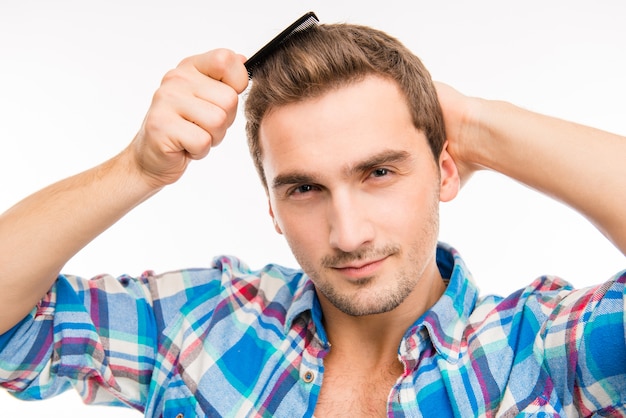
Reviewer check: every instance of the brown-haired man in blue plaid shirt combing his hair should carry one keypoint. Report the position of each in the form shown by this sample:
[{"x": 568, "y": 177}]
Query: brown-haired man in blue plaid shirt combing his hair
[{"x": 347, "y": 136}]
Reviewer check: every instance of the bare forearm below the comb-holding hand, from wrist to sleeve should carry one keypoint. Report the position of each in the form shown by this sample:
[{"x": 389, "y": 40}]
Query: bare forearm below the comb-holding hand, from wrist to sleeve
[{"x": 42, "y": 232}]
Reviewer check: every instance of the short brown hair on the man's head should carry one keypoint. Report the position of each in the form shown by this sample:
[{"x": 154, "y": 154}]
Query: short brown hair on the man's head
[{"x": 326, "y": 57}]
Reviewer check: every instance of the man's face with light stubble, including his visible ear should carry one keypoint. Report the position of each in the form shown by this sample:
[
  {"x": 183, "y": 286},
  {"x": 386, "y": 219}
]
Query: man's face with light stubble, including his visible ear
[{"x": 354, "y": 188}]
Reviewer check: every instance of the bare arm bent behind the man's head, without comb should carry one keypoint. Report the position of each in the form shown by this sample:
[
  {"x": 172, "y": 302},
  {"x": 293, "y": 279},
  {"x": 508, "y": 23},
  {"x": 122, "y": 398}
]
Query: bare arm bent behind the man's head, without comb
[{"x": 578, "y": 165}]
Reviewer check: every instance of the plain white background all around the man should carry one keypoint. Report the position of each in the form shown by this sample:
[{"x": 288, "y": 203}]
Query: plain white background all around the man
[{"x": 76, "y": 78}]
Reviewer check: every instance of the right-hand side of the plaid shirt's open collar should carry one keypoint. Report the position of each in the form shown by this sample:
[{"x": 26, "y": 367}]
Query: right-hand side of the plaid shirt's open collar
[{"x": 446, "y": 321}]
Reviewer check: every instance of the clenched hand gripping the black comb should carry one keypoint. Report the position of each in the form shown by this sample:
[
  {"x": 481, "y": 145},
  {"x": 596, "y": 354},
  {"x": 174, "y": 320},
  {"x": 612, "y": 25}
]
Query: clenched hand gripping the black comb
[{"x": 190, "y": 112}]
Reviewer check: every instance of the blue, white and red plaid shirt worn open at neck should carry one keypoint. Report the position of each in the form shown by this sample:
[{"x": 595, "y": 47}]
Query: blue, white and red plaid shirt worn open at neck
[{"x": 228, "y": 341}]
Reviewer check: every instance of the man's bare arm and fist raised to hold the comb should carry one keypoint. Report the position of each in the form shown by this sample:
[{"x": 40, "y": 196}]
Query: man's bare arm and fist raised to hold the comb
[{"x": 190, "y": 113}]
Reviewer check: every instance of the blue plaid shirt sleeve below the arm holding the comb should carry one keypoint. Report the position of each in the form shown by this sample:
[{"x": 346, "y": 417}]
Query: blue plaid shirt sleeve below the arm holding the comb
[{"x": 100, "y": 336}]
